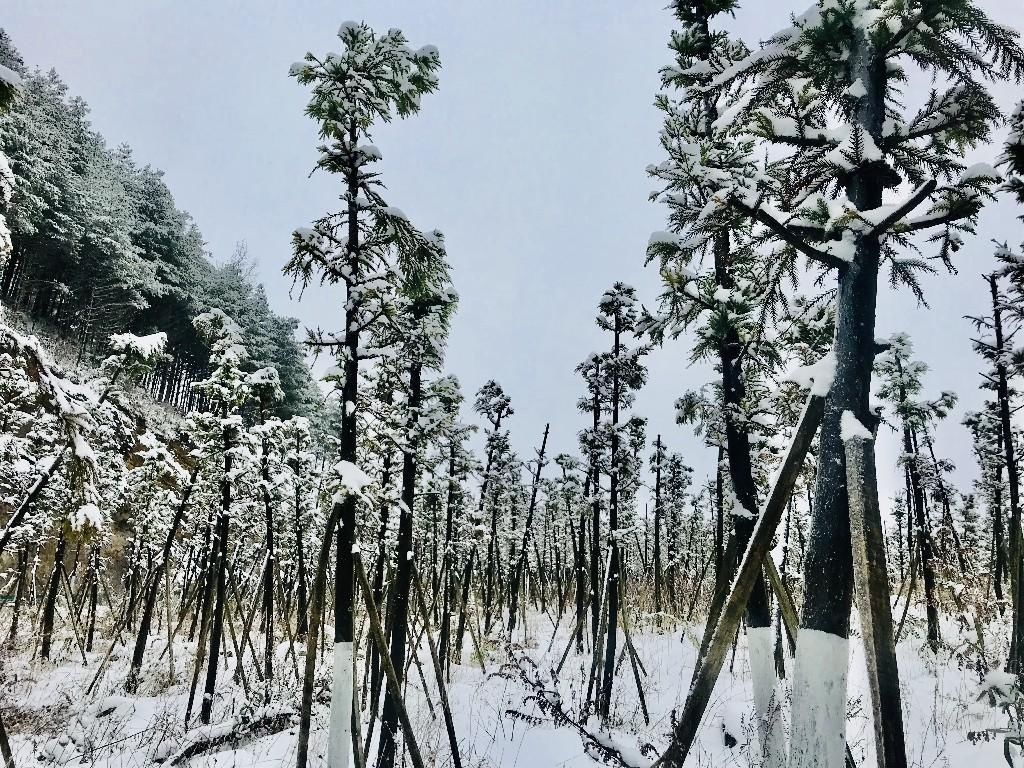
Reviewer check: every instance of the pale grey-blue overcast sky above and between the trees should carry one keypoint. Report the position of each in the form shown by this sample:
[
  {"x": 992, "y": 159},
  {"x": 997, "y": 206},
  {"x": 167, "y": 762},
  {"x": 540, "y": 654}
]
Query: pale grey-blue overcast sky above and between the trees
[{"x": 531, "y": 158}]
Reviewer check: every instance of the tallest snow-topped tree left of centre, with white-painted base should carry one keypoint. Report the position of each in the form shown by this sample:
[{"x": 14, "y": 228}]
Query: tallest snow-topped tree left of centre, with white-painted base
[{"x": 374, "y": 78}]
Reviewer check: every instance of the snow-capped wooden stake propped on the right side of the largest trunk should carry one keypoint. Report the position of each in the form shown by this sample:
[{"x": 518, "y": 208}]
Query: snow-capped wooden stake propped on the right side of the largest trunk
[{"x": 872, "y": 584}]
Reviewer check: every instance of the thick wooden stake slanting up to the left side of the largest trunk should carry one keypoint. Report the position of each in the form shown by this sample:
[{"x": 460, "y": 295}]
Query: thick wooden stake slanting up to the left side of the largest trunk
[{"x": 750, "y": 570}]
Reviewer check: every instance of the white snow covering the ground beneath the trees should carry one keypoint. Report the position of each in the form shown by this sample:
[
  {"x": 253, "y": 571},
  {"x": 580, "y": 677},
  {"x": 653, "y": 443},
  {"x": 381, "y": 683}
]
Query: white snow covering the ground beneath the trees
[{"x": 54, "y": 722}]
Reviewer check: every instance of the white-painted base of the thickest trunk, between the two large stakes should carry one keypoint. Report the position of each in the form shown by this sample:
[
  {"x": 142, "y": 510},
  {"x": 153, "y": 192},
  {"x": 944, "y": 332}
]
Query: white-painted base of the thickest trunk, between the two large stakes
[{"x": 819, "y": 719}]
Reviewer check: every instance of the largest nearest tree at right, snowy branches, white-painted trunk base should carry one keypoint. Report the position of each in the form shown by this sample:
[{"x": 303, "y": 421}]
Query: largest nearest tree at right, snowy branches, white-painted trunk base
[{"x": 849, "y": 142}]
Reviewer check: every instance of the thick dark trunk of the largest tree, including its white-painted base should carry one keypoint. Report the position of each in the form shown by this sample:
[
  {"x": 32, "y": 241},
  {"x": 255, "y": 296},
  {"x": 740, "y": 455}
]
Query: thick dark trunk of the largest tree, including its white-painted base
[{"x": 819, "y": 723}]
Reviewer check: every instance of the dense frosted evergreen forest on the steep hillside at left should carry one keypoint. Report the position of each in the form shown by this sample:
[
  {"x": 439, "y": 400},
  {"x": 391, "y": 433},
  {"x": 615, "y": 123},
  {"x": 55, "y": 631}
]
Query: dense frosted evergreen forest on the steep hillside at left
[{"x": 101, "y": 247}]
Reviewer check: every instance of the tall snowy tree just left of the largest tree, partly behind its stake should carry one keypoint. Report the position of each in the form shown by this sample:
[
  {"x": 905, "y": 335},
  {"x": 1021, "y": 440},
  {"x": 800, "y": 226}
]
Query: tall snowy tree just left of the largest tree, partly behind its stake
[{"x": 718, "y": 285}]
